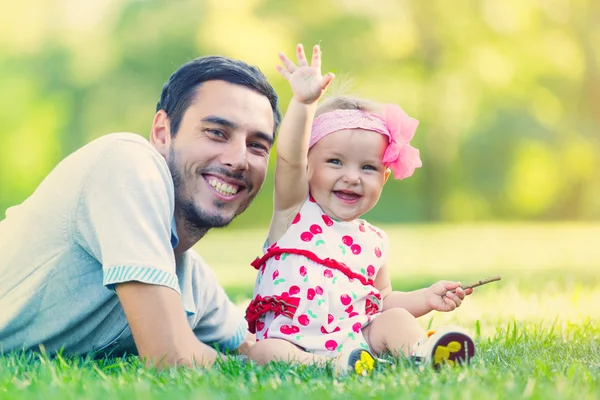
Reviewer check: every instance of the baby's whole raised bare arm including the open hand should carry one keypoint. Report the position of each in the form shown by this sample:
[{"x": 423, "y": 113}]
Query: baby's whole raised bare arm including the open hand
[{"x": 291, "y": 185}]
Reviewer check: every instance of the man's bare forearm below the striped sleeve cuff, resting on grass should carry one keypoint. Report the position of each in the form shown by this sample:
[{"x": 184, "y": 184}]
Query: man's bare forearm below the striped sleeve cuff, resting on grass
[{"x": 159, "y": 326}]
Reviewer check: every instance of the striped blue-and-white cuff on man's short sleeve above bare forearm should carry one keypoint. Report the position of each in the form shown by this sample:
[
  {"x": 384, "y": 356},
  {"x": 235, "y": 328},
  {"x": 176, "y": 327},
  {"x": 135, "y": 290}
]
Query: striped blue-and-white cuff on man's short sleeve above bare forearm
[{"x": 151, "y": 275}]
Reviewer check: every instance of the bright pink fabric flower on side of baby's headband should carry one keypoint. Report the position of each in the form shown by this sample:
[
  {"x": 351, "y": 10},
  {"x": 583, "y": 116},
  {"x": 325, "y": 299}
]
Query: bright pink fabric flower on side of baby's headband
[{"x": 400, "y": 156}]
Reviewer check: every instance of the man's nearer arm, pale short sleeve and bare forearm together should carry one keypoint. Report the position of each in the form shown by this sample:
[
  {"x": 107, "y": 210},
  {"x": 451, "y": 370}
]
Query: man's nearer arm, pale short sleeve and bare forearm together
[{"x": 123, "y": 219}]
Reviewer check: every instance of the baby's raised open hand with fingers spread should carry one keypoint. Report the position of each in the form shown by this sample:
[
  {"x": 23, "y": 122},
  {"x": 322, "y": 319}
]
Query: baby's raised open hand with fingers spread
[{"x": 306, "y": 80}]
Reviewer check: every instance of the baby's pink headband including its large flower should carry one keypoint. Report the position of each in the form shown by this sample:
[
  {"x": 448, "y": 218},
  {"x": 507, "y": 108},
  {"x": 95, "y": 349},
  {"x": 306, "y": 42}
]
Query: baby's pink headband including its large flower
[{"x": 399, "y": 155}]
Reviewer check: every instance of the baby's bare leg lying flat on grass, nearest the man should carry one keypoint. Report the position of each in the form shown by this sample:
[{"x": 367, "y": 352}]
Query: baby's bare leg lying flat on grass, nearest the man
[{"x": 268, "y": 350}]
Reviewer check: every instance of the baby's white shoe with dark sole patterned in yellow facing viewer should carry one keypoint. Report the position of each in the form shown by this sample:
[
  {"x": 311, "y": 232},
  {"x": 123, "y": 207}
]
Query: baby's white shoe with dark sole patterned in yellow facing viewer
[{"x": 449, "y": 345}]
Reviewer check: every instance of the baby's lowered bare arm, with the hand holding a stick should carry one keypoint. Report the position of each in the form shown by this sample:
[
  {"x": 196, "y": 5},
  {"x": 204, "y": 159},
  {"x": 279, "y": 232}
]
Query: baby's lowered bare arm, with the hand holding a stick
[{"x": 420, "y": 302}]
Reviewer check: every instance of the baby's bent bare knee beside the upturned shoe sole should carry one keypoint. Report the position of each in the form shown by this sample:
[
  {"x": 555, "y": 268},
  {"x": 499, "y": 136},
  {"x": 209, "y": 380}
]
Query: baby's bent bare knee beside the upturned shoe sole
[{"x": 395, "y": 331}]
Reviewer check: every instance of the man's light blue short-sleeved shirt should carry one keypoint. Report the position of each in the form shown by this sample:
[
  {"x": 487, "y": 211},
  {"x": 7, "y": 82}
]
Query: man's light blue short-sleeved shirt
[{"x": 103, "y": 216}]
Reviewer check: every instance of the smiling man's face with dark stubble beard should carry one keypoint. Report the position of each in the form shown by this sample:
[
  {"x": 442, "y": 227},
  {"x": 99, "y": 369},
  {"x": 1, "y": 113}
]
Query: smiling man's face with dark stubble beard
[{"x": 218, "y": 158}]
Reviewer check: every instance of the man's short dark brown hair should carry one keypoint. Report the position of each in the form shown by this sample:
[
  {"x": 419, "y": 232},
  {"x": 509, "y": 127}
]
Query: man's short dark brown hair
[{"x": 179, "y": 91}]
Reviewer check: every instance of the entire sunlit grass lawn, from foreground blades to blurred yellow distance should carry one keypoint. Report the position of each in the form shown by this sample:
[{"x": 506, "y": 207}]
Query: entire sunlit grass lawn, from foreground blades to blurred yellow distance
[{"x": 537, "y": 331}]
